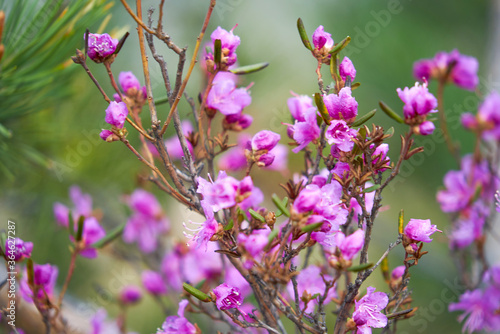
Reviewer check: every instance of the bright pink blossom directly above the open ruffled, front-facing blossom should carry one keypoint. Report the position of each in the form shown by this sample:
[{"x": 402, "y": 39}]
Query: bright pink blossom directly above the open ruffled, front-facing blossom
[{"x": 342, "y": 106}]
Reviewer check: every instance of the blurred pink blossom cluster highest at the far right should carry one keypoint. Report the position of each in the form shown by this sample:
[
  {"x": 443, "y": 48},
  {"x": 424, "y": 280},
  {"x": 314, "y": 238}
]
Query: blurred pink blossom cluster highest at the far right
[{"x": 463, "y": 73}]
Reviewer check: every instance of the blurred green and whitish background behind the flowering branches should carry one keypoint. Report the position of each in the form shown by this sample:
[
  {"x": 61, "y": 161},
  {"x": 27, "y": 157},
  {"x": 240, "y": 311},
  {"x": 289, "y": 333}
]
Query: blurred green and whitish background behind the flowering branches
[{"x": 387, "y": 37}]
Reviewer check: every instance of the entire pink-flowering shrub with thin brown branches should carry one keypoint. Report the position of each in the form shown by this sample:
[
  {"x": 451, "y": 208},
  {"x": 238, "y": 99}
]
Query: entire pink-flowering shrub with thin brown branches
[{"x": 251, "y": 260}]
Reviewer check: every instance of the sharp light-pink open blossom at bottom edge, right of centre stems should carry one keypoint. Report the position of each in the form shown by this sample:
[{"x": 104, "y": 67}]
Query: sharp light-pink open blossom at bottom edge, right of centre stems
[{"x": 367, "y": 313}]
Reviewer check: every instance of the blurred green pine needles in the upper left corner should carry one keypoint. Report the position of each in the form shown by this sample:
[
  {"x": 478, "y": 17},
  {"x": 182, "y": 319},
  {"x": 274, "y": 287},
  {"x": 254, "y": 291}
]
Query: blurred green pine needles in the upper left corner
[{"x": 34, "y": 69}]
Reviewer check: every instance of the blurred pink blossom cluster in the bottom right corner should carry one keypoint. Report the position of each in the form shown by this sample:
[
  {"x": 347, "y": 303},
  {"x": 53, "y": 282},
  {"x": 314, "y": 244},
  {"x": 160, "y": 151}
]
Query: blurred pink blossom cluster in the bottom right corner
[{"x": 480, "y": 308}]
